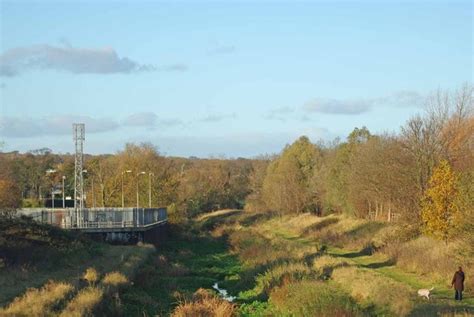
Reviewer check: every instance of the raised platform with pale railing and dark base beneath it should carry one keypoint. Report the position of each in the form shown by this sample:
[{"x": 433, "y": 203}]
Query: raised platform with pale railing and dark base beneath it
[{"x": 108, "y": 224}]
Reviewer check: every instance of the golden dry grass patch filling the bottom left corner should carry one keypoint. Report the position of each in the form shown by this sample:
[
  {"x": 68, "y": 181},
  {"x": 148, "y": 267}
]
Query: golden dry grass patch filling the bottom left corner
[{"x": 38, "y": 302}]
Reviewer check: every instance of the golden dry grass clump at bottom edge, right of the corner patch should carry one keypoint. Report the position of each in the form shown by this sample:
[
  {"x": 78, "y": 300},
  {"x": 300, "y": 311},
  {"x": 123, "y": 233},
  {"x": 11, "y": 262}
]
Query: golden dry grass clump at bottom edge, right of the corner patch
[{"x": 84, "y": 303}]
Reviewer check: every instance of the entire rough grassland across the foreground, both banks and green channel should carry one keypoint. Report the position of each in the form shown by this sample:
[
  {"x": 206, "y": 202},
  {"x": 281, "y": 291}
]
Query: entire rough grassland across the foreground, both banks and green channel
[{"x": 273, "y": 265}]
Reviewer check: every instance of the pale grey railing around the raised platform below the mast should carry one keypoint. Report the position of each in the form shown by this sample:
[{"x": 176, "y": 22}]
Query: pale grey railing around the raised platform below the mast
[{"x": 70, "y": 218}]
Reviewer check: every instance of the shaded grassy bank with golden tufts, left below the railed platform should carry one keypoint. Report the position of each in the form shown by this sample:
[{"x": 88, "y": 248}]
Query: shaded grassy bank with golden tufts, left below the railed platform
[{"x": 47, "y": 271}]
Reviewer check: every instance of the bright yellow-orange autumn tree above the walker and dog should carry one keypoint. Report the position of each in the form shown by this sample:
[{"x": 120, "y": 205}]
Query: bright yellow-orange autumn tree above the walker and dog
[{"x": 441, "y": 204}]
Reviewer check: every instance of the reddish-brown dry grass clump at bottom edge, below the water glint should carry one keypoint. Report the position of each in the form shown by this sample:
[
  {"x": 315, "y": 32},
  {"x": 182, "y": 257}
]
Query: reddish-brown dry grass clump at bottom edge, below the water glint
[{"x": 203, "y": 303}]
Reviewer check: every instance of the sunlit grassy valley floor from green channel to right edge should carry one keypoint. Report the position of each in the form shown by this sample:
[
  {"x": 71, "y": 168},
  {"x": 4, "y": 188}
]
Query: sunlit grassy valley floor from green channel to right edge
[{"x": 297, "y": 266}]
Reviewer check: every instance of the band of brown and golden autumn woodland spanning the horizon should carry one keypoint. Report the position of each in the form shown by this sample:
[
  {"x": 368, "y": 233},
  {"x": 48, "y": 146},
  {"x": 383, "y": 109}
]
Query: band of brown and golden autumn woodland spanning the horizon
[{"x": 423, "y": 174}]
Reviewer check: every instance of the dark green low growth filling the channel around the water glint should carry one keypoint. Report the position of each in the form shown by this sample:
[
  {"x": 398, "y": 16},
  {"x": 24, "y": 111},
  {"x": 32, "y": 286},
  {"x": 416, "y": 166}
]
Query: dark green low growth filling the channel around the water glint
[{"x": 187, "y": 261}]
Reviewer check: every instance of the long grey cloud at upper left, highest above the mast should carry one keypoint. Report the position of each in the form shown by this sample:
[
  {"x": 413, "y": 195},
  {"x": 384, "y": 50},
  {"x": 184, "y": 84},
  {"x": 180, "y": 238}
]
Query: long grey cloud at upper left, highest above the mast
[{"x": 74, "y": 60}]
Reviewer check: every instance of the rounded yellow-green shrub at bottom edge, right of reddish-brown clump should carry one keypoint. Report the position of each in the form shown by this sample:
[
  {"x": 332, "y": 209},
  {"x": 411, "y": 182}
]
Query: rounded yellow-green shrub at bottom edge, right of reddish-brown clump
[{"x": 312, "y": 298}]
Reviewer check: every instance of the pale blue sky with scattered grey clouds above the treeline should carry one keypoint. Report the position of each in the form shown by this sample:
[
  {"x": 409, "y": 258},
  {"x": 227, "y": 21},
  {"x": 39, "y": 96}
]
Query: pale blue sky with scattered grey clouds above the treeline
[{"x": 222, "y": 78}]
